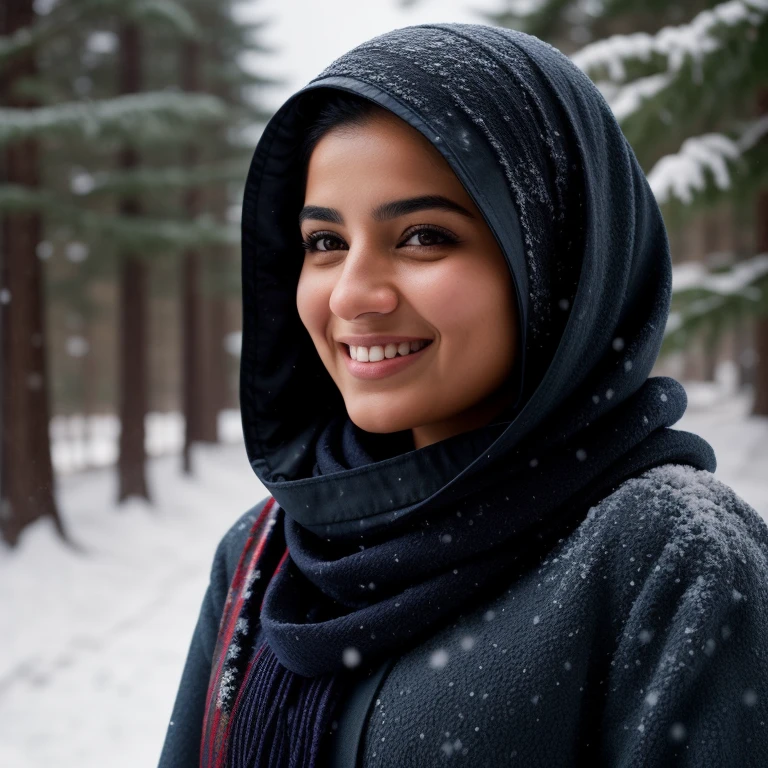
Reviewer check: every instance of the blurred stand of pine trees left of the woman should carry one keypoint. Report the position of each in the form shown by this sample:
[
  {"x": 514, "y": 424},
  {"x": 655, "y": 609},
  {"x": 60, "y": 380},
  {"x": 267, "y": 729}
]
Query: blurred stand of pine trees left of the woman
[{"x": 124, "y": 131}]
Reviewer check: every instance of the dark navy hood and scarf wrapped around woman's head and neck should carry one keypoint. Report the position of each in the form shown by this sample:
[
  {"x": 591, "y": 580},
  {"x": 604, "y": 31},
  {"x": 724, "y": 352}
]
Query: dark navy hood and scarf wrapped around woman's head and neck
[{"x": 382, "y": 548}]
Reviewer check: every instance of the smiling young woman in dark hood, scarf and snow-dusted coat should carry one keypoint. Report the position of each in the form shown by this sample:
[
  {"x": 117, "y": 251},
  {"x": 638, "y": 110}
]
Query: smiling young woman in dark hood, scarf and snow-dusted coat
[{"x": 483, "y": 539}]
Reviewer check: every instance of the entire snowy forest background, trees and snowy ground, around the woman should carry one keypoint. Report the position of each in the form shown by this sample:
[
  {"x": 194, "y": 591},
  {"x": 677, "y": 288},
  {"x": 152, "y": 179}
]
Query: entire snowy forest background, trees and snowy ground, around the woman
[{"x": 126, "y": 131}]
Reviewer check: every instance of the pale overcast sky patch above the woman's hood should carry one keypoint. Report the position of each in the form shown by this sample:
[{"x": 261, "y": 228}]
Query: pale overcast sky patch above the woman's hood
[{"x": 310, "y": 34}]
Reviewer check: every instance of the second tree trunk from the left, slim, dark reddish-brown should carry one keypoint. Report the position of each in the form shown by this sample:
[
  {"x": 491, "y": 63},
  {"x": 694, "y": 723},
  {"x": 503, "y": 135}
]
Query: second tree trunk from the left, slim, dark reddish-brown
[{"x": 134, "y": 379}]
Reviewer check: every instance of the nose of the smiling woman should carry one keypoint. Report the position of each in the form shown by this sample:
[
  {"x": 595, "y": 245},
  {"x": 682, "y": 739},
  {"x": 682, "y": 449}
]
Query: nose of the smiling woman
[{"x": 365, "y": 284}]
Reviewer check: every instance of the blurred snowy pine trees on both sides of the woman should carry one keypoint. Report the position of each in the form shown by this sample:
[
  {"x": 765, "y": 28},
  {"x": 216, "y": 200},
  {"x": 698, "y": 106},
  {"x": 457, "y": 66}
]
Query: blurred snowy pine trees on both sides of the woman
[{"x": 126, "y": 128}]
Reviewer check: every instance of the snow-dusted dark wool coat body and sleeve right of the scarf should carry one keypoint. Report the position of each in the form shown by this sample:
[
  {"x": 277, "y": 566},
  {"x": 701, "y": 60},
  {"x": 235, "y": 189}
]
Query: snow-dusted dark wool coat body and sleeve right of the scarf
[{"x": 640, "y": 640}]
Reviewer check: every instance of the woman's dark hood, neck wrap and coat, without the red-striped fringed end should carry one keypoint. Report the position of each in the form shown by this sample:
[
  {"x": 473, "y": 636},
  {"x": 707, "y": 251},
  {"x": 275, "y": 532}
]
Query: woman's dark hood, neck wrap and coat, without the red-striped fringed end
[{"x": 602, "y": 600}]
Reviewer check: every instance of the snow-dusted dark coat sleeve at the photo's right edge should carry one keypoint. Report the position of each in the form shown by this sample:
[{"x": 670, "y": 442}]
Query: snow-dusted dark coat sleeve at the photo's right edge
[{"x": 689, "y": 678}]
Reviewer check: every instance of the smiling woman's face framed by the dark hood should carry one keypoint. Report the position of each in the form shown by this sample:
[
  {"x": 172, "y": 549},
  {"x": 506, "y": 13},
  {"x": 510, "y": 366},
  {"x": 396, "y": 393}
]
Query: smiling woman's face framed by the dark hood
[{"x": 404, "y": 289}]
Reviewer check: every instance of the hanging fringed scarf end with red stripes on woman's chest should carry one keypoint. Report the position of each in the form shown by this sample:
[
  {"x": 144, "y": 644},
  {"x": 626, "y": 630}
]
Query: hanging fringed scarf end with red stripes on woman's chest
[{"x": 258, "y": 714}]
